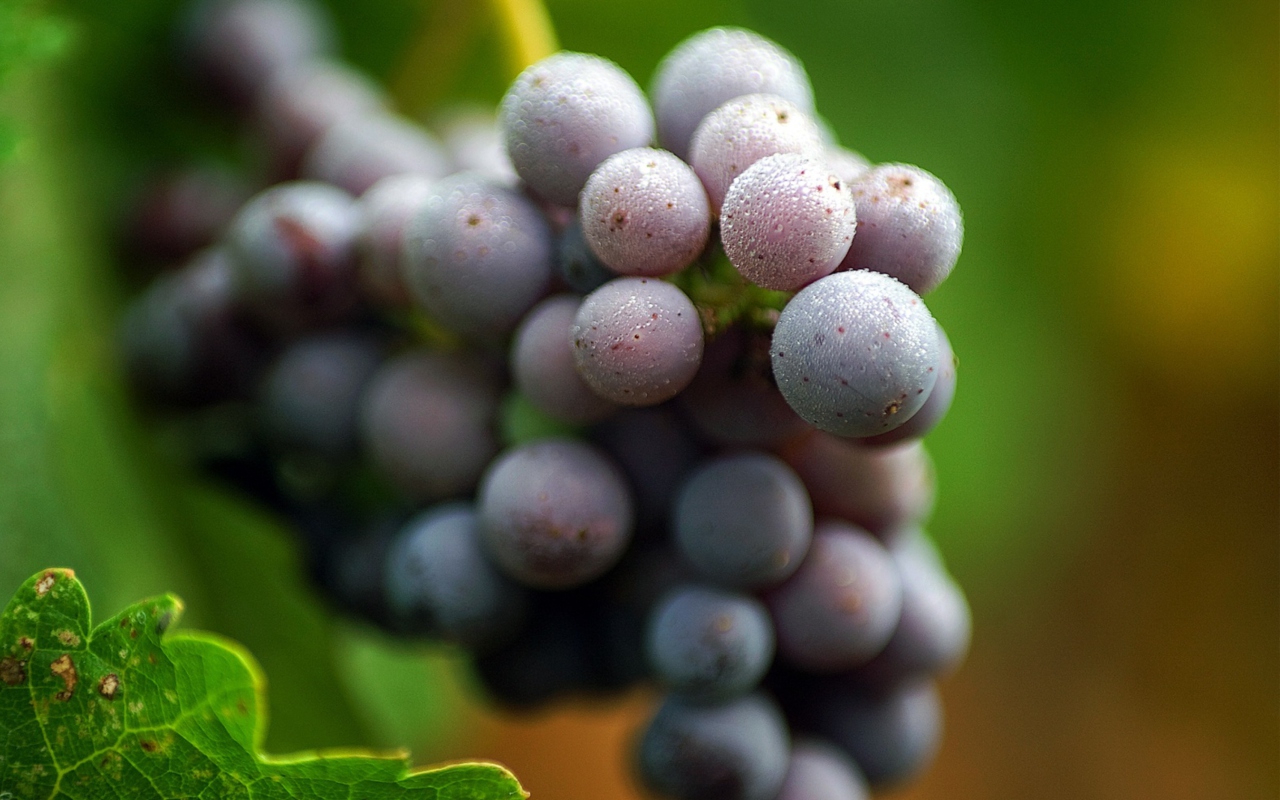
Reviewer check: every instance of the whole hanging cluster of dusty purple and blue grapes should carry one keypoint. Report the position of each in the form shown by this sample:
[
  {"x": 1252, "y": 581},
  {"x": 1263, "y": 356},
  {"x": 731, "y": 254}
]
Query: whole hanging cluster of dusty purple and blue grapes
[{"x": 708, "y": 309}]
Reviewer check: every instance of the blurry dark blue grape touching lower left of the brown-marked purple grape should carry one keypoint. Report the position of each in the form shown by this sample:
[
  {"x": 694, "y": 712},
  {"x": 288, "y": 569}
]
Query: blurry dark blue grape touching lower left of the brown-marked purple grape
[{"x": 438, "y": 582}]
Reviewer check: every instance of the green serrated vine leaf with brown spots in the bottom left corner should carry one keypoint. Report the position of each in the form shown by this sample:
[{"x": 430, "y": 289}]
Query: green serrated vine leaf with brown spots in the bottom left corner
[{"x": 126, "y": 711}]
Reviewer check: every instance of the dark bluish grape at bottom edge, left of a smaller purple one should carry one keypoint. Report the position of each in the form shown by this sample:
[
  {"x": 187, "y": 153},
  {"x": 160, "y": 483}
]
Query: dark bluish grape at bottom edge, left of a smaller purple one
[{"x": 733, "y": 752}]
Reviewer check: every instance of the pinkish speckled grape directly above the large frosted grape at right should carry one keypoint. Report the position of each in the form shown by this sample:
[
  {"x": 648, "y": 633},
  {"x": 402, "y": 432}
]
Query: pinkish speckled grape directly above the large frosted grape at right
[{"x": 909, "y": 227}]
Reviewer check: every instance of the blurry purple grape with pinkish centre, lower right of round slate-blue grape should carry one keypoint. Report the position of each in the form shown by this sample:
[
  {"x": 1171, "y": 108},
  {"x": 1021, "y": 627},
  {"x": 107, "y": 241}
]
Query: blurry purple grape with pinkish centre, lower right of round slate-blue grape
[{"x": 842, "y": 606}]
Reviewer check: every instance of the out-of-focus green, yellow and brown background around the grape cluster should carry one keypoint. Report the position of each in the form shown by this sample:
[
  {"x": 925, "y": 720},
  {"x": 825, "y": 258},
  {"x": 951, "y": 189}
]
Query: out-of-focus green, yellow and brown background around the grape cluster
[{"x": 1109, "y": 474}]
